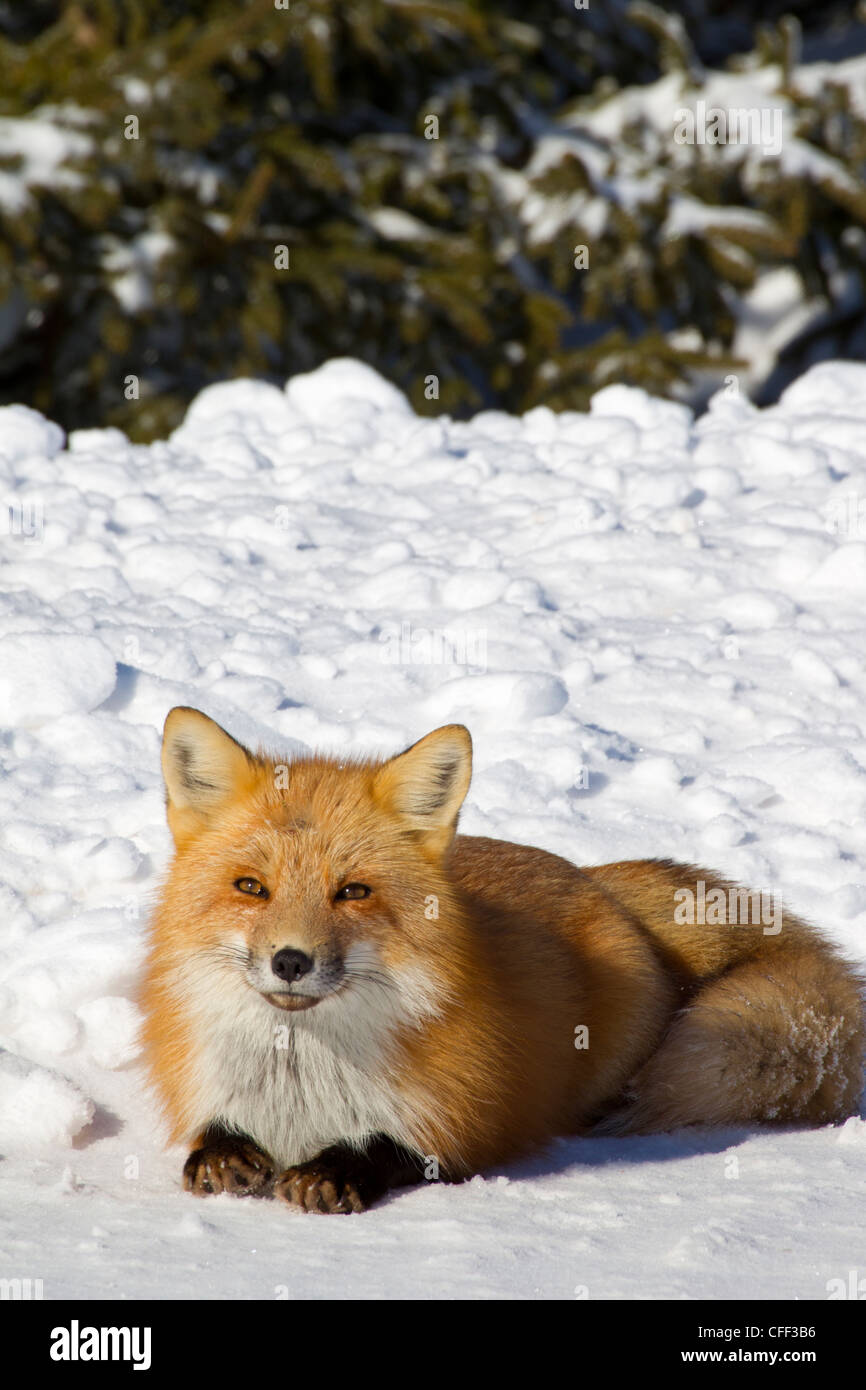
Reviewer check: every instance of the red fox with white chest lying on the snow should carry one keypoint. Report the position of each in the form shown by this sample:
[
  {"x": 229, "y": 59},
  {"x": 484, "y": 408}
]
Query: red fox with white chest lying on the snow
[{"x": 343, "y": 996}]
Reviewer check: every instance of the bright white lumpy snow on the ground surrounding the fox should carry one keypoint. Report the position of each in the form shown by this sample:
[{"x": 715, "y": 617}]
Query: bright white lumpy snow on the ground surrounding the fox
[{"x": 653, "y": 626}]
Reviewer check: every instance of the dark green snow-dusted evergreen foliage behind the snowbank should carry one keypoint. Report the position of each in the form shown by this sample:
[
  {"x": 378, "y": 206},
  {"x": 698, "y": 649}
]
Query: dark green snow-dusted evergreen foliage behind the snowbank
[{"x": 263, "y": 129}]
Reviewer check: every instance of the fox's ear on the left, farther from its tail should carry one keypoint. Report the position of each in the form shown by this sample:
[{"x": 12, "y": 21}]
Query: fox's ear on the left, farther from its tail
[{"x": 204, "y": 768}]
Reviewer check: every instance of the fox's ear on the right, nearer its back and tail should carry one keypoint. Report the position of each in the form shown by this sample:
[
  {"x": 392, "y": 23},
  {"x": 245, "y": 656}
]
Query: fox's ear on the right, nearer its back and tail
[{"x": 426, "y": 785}]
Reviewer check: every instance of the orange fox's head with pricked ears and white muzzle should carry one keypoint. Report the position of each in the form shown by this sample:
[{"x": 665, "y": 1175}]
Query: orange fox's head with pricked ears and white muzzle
[{"x": 313, "y": 881}]
